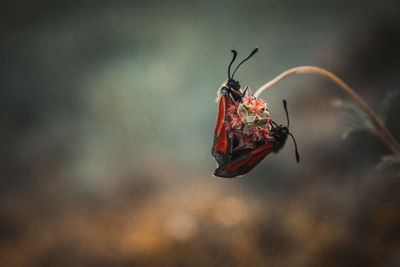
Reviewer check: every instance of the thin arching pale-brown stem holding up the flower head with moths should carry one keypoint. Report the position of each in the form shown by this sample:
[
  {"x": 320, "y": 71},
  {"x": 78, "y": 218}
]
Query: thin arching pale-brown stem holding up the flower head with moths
[{"x": 380, "y": 128}]
